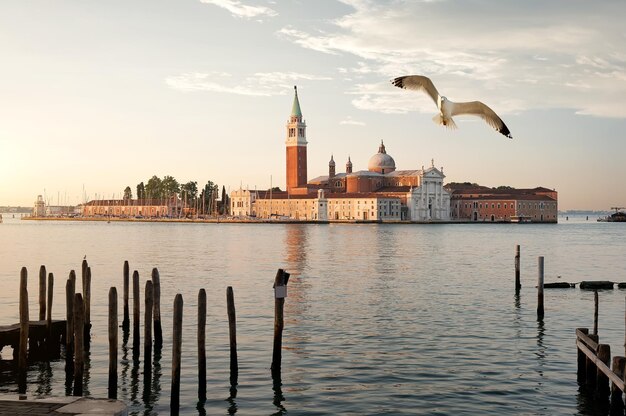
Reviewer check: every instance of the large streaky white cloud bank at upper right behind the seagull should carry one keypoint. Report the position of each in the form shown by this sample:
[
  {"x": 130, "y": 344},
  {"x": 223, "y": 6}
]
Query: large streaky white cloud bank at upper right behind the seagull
[{"x": 514, "y": 56}]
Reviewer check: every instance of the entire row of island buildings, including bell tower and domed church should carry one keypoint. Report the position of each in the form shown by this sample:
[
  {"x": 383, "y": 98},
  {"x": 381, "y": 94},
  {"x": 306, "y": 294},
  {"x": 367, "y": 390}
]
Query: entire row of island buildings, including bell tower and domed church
[{"x": 380, "y": 193}]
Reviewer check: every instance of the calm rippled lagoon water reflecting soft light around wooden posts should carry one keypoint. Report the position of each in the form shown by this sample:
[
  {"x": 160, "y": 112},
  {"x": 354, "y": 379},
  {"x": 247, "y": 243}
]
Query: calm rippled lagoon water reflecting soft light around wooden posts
[{"x": 380, "y": 319}]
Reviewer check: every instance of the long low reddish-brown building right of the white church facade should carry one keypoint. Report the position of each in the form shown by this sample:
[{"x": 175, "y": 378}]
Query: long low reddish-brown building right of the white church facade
[{"x": 479, "y": 203}]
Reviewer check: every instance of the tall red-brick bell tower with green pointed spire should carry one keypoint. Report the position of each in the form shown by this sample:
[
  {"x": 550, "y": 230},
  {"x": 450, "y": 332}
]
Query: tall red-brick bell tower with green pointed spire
[{"x": 296, "y": 147}]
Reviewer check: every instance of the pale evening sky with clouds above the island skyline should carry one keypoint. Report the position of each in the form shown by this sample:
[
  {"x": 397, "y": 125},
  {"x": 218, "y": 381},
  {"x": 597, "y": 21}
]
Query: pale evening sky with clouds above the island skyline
[{"x": 99, "y": 95}]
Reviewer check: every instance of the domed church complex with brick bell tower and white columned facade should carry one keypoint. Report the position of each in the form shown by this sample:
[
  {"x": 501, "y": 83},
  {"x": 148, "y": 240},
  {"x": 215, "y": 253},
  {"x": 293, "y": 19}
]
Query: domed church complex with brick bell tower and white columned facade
[{"x": 380, "y": 193}]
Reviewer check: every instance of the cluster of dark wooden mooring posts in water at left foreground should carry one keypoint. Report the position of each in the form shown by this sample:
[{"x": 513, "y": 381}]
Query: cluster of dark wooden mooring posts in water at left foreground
[{"x": 75, "y": 333}]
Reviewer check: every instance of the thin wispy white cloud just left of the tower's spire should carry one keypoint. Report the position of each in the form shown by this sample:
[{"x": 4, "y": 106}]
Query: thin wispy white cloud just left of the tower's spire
[{"x": 261, "y": 84}]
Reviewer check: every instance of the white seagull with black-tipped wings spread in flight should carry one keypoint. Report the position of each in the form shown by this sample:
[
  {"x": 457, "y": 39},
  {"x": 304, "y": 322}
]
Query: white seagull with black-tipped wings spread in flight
[{"x": 448, "y": 108}]
